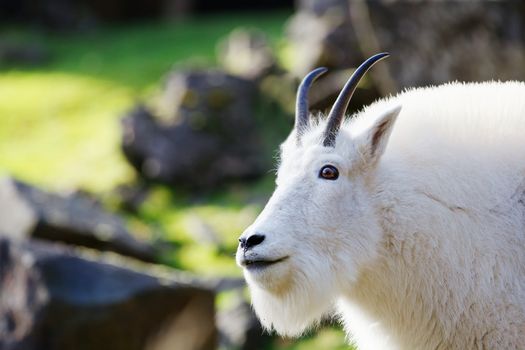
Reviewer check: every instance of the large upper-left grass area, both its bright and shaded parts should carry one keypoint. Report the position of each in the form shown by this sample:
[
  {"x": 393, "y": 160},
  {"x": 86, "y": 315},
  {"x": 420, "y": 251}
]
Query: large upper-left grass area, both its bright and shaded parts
[{"x": 59, "y": 124}]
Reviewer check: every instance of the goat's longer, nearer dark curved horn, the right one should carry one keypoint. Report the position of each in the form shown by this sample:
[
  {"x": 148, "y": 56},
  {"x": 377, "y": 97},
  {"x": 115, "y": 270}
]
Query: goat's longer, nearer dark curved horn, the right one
[{"x": 337, "y": 113}]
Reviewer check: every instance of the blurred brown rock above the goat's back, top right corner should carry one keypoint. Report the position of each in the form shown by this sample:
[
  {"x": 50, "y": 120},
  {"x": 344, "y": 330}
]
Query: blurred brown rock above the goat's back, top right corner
[{"x": 436, "y": 42}]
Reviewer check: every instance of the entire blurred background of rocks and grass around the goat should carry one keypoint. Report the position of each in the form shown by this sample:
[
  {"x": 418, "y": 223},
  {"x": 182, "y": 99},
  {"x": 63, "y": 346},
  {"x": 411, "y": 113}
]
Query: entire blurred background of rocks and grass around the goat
[{"x": 138, "y": 140}]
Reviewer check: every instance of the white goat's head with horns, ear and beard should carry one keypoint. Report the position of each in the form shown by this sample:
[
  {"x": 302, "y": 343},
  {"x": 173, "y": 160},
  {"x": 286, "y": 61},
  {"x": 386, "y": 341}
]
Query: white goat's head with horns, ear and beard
[{"x": 319, "y": 228}]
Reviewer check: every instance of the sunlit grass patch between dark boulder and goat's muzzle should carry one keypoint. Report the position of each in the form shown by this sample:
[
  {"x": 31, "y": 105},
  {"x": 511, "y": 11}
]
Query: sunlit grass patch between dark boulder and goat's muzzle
[{"x": 204, "y": 234}]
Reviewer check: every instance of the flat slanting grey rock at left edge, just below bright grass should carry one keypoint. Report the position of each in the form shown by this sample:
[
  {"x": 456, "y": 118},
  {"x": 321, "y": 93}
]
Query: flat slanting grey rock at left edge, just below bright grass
[{"x": 27, "y": 212}]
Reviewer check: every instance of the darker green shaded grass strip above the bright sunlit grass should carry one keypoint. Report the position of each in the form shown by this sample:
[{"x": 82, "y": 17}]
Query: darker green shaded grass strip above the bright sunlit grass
[{"x": 139, "y": 55}]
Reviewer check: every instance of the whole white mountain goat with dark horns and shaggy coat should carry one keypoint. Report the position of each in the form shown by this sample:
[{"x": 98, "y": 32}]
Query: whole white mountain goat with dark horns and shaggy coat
[{"x": 407, "y": 220}]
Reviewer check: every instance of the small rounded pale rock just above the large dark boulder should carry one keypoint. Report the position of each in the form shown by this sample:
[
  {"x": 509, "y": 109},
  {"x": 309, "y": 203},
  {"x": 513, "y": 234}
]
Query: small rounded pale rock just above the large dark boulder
[{"x": 246, "y": 54}]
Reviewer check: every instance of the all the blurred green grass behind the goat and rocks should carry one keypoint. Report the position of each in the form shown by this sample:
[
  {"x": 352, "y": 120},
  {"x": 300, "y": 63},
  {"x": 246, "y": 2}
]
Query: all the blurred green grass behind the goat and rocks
[{"x": 59, "y": 129}]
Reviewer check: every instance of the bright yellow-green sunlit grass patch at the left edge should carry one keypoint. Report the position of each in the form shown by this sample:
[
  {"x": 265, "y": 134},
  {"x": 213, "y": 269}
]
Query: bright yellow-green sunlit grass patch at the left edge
[{"x": 62, "y": 130}]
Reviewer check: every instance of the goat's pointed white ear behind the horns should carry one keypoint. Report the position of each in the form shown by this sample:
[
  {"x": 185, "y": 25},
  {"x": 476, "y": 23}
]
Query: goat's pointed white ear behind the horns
[{"x": 373, "y": 141}]
